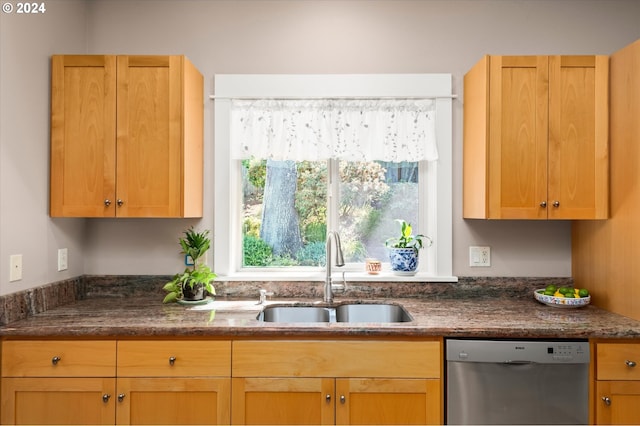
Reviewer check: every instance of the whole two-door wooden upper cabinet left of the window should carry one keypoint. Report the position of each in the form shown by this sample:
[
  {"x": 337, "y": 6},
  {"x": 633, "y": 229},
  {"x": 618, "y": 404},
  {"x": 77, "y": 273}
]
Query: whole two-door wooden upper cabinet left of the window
[{"x": 126, "y": 136}]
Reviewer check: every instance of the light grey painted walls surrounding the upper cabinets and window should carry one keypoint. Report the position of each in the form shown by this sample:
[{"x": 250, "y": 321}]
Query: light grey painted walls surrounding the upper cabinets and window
[{"x": 270, "y": 36}]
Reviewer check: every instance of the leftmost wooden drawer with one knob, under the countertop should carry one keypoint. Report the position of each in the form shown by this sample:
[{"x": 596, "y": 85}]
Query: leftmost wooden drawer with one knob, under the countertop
[{"x": 58, "y": 358}]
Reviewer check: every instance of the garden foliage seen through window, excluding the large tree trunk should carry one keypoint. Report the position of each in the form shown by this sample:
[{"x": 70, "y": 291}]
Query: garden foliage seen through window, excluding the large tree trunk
[{"x": 365, "y": 195}]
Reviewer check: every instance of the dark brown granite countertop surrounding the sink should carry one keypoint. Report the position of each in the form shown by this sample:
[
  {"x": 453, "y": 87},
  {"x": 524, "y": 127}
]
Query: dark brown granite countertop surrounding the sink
[{"x": 480, "y": 317}]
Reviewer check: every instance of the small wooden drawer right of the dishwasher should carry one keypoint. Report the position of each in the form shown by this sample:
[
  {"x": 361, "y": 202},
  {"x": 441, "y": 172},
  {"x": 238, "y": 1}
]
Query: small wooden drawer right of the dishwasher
[{"x": 615, "y": 360}]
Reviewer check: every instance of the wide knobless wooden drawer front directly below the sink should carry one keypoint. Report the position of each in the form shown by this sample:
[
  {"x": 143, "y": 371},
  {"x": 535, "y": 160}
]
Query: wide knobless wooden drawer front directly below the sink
[{"x": 336, "y": 359}]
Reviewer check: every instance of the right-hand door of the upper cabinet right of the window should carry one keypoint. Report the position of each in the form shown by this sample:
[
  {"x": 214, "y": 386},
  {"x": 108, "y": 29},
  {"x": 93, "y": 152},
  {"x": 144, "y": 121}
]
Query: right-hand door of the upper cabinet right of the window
[{"x": 578, "y": 137}]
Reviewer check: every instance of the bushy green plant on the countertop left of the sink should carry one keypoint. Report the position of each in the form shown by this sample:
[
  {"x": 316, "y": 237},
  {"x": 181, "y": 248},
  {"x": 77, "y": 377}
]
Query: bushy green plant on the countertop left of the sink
[{"x": 195, "y": 282}]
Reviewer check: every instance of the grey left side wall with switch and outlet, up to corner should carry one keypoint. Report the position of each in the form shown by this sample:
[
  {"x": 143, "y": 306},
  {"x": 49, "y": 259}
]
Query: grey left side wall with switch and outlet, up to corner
[{"x": 26, "y": 43}]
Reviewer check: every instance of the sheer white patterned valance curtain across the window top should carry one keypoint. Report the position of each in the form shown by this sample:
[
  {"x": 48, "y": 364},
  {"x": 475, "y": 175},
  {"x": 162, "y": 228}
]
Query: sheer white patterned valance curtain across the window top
[{"x": 318, "y": 129}]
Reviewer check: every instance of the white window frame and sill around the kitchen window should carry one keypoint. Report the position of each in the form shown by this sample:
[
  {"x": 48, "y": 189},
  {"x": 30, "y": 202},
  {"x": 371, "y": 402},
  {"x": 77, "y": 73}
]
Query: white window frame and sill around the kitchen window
[{"x": 436, "y": 261}]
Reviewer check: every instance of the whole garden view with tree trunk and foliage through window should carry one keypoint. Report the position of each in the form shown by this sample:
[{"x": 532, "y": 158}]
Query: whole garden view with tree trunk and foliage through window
[{"x": 287, "y": 207}]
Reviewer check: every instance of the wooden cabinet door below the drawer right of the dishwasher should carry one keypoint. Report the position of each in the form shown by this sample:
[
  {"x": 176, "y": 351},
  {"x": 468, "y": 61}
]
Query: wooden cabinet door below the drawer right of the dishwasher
[{"x": 617, "y": 402}]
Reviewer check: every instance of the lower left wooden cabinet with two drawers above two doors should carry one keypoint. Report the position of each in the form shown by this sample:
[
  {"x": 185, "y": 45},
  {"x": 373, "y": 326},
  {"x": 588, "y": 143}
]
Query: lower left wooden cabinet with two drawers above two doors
[{"x": 109, "y": 382}]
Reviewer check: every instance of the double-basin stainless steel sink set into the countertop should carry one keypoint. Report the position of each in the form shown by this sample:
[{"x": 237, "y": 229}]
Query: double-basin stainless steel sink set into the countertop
[{"x": 342, "y": 313}]
